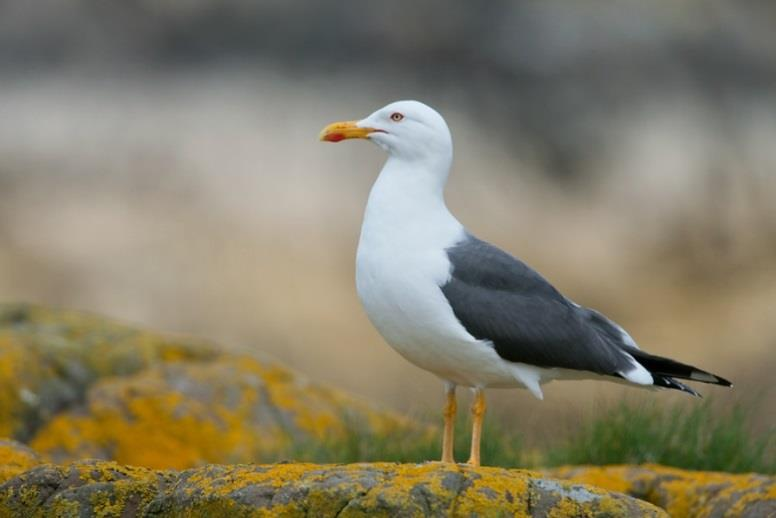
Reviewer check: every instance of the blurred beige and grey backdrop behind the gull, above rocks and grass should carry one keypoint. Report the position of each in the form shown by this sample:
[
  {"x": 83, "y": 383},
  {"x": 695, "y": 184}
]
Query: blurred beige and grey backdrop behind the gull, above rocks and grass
[{"x": 159, "y": 163}]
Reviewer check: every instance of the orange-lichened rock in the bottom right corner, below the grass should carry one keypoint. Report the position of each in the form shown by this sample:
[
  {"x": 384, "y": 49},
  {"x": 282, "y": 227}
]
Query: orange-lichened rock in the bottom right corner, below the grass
[{"x": 683, "y": 493}]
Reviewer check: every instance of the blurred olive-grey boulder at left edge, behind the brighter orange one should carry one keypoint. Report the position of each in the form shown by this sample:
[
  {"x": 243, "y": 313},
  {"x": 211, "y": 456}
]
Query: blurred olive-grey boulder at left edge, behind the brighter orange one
[{"x": 49, "y": 358}]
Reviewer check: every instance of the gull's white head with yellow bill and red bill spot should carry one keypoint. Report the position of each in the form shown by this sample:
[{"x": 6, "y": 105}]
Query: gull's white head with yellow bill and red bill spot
[{"x": 409, "y": 130}]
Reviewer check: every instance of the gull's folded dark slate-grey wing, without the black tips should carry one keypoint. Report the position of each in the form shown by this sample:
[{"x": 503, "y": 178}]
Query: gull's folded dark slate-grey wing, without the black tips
[{"x": 499, "y": 298}]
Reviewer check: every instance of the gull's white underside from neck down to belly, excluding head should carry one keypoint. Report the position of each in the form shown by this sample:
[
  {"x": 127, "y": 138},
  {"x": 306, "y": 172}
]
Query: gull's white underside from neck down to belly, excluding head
[{"x": 400, "y": 265}]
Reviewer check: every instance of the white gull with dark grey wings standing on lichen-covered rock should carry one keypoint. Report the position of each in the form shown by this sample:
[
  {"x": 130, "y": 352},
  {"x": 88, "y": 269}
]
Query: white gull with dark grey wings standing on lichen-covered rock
[{"x": 461, "y": 308}]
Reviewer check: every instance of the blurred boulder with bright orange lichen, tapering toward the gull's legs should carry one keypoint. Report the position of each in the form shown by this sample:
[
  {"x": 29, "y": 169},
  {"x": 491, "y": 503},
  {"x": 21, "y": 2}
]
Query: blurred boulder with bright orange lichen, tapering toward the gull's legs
[{"x": 179, "y": 415}]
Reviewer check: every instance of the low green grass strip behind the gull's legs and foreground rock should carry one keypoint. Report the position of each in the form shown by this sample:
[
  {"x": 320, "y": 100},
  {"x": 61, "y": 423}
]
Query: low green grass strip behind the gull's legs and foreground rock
[{"x": 691, "y": 435}]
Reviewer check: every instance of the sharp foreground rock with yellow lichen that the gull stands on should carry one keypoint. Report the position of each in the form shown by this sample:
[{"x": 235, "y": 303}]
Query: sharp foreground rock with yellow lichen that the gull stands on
[{"x": 97, "y": 488}]
